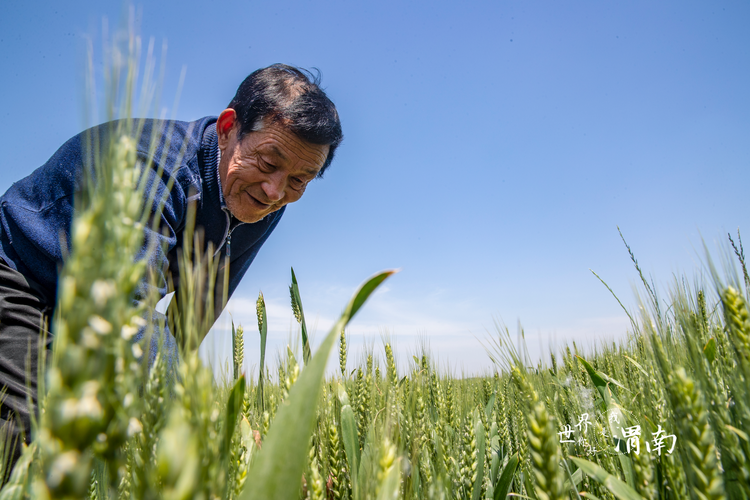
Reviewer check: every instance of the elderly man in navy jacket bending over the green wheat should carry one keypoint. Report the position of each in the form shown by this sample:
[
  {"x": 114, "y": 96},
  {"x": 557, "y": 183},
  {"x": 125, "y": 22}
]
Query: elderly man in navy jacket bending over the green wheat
[{"x": 240, "y": 169}]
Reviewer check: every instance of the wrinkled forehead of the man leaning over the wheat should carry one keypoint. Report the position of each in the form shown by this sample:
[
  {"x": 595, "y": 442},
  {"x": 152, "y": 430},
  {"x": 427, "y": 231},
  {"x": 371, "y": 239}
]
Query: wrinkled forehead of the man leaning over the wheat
[{"x": 277, "y": 140}]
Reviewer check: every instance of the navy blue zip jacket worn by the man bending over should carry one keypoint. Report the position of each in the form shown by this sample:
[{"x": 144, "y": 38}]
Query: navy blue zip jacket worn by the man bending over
[{"x": 37, "y": 210}]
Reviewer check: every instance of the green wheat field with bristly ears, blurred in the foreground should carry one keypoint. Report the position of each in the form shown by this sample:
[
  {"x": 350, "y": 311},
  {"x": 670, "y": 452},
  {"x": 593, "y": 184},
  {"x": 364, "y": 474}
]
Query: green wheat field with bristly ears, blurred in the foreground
[{"x": 662, "y": 414}]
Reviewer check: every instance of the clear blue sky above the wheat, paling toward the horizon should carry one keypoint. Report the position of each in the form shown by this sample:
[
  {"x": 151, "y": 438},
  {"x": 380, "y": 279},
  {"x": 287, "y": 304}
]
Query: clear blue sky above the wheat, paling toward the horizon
[{"x": 491, "y": 151}]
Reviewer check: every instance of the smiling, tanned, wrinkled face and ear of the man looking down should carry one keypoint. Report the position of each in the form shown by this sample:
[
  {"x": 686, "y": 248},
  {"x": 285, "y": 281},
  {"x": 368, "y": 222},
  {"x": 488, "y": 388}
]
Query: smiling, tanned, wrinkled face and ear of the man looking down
[{"x": 265, "y": 170}]
